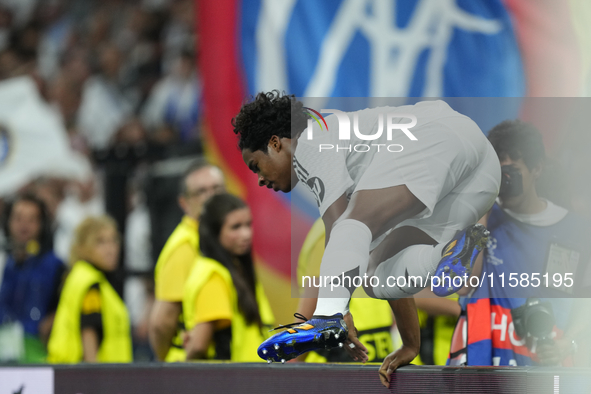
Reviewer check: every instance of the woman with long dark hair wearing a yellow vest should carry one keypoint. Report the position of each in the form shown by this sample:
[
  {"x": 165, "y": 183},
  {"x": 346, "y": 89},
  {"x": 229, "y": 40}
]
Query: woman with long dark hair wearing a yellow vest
[{"x": 224, "y": 306}]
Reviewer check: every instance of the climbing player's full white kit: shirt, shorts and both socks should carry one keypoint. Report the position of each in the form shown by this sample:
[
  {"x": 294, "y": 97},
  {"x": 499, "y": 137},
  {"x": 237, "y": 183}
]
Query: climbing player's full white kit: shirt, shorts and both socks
[{"x": 444, "y": 160}]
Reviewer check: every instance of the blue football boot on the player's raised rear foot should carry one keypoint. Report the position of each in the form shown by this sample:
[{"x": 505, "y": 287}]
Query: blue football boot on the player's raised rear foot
[{"x": 458, "y": 257}]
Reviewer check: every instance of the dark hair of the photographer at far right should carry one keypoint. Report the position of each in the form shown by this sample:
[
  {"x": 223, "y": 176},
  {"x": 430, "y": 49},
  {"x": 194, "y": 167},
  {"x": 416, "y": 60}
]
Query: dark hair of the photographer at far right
[{"x": 518, "y": 140}]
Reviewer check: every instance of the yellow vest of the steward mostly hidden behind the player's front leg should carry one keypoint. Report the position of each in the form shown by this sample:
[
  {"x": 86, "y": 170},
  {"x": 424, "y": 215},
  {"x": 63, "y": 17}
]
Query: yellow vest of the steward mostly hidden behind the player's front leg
[{"x": 373, "y": 318}]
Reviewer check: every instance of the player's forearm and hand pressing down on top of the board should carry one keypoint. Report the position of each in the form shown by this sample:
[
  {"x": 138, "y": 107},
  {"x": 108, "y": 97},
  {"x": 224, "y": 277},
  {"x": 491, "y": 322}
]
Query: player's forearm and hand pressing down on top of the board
[{"x": 407, "y": 320}]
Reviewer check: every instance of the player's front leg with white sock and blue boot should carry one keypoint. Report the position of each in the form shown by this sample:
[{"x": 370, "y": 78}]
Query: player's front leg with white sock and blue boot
[{"x": 369, "y": 214}]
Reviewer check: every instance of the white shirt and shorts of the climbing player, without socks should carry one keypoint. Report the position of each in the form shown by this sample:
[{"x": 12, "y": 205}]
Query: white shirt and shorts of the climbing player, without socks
[{"x": 451, "y": 167}]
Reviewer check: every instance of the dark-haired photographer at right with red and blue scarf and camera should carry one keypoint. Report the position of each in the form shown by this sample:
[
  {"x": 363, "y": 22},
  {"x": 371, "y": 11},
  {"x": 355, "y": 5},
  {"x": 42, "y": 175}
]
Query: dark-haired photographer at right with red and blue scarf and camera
[{"x": 528, "y": 235}]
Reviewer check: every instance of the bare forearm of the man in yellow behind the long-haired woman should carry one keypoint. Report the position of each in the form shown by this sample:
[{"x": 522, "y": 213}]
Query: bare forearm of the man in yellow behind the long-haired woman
[{"x": 163, "y": 325}]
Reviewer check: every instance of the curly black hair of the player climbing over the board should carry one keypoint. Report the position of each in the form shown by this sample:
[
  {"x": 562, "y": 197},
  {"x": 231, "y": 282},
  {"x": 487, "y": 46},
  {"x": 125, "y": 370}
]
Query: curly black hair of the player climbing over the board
[{"x": 268, "y": 114}]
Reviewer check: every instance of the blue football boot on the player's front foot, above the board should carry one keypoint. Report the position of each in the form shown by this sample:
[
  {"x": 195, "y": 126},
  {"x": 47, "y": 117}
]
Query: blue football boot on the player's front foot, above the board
[{"x": 320, "y": 332}]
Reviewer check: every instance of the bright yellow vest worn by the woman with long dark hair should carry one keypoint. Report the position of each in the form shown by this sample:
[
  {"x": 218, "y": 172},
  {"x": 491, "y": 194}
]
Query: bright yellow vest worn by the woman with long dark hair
[{"x": 245, "y": 338}]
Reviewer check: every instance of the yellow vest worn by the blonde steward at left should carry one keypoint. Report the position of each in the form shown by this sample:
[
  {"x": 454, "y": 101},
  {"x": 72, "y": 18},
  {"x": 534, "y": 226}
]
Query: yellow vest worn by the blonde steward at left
[{"x": 65, "y": 342}]
